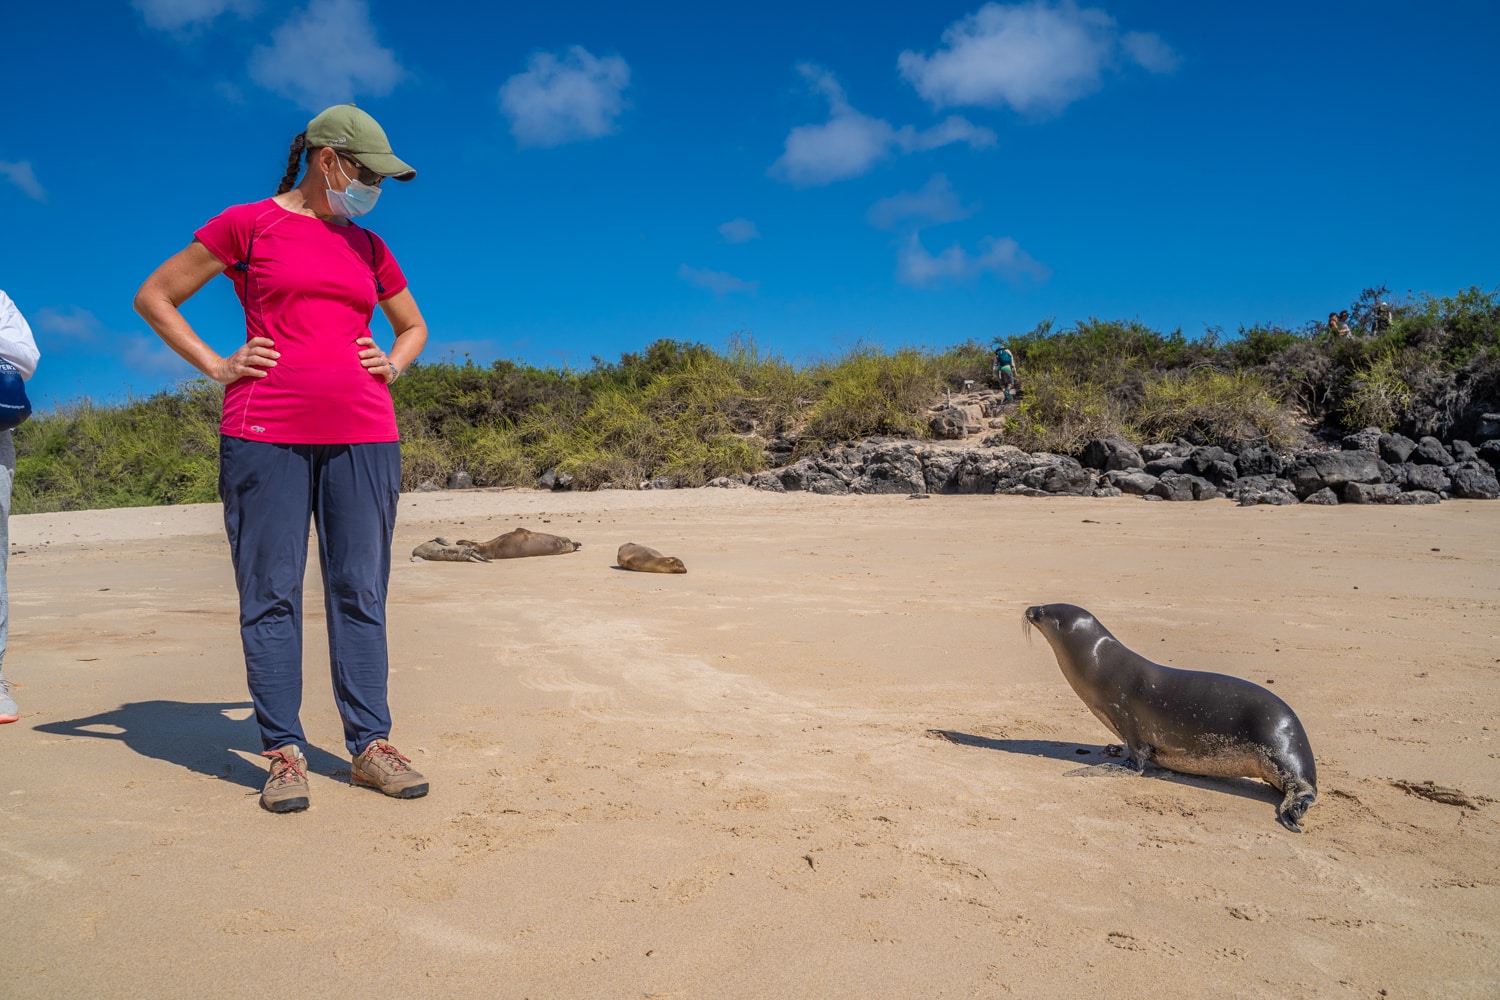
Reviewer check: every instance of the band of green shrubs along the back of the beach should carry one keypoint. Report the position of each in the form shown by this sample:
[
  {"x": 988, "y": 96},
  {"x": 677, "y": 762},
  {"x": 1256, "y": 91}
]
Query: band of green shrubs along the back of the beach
[{"x": 688, "y": 413}]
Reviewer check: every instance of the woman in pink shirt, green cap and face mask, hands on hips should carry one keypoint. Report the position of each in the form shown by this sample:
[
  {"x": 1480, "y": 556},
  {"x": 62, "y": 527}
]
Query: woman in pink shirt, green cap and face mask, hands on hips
[{"x": 308, "y": 434}]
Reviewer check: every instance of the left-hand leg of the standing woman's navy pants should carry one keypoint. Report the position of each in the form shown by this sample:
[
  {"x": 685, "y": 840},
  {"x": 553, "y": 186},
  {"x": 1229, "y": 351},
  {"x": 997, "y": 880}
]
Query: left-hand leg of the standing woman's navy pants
[{"x": 268, "y": 506}]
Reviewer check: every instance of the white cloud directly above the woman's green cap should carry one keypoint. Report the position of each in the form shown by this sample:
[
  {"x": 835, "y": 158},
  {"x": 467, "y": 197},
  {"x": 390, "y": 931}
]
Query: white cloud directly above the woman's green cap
[{"x": 326, "y": 55}]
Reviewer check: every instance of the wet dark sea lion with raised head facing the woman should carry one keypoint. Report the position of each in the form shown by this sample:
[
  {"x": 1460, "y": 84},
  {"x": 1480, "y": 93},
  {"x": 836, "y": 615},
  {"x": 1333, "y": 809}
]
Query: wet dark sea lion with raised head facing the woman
[{"x": 1184, "y": 720}]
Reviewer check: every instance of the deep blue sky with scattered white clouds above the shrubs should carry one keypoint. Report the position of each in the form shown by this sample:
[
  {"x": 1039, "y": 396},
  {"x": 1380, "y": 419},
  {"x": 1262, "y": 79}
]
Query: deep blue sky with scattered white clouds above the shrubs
[{"x": 595, "y": 178}]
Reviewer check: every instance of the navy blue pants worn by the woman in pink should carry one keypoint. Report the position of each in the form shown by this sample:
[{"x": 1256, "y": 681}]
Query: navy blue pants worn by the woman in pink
[{"x": 349, "y": 491}]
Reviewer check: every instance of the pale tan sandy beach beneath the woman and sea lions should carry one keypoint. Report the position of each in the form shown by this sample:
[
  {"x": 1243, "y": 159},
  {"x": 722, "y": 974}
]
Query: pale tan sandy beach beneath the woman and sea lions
[{"x": 823, "y": 764}]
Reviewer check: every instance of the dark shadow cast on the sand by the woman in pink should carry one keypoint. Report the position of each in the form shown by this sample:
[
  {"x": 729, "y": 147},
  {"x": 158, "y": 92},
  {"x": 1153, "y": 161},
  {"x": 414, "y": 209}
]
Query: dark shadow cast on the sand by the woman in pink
[{"x": 196, "y": 735}]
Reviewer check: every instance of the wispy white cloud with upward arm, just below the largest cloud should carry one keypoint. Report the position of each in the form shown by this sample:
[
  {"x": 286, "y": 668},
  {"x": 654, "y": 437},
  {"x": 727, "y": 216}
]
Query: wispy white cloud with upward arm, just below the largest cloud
[{"x": 851, "y": 143}]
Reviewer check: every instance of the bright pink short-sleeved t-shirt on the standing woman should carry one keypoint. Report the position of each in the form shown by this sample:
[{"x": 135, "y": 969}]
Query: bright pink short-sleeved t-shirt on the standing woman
[{"x": 311, "y": 289}]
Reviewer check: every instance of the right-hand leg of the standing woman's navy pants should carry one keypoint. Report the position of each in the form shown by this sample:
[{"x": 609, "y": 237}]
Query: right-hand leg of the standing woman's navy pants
[{"x": 356, "y": 490}]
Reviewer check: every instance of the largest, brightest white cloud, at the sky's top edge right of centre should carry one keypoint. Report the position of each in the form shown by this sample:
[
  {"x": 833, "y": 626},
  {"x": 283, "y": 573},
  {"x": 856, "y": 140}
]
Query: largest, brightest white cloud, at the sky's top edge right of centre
[{"x": 1037, "y": 58}]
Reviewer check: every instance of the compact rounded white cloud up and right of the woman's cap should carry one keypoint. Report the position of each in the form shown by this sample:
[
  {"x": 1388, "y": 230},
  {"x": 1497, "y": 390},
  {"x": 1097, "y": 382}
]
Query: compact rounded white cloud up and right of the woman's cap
[{"x": 578, "y": 97}]
